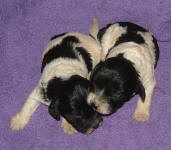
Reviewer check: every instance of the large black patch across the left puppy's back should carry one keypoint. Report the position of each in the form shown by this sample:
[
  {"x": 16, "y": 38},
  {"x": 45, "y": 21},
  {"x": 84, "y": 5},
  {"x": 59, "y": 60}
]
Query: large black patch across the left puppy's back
[{"x": 64, "y": 49}]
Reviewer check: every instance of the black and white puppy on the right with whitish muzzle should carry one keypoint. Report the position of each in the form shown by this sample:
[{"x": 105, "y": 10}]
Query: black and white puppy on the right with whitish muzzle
[{"x": 131, "y": 57}]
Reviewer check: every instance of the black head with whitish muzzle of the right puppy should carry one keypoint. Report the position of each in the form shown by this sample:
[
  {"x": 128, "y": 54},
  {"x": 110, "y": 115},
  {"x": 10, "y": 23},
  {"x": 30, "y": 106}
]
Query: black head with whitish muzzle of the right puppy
[{"x": 114, "y": 81}]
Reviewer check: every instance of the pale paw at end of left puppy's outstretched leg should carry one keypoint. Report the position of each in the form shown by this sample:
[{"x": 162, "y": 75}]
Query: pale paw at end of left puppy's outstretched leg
[{"x": 18, "y": 122}]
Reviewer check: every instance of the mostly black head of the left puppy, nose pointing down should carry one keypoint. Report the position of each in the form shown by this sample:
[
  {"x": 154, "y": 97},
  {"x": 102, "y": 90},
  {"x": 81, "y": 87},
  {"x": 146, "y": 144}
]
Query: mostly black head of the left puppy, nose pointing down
[{"x": 69, "y": 101}]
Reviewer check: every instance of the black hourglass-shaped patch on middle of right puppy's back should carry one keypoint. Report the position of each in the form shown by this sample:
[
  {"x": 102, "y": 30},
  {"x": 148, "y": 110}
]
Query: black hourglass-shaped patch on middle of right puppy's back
[{"x": 131, "y": 34}]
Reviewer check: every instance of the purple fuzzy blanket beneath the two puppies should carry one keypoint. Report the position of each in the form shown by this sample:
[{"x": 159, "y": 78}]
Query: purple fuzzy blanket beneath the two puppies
[{"x": 25, "y": 28}]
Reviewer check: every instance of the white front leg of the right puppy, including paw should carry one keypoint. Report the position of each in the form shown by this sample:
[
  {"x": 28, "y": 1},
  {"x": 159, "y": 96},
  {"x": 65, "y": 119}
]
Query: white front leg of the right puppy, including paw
[{"x": 142, "y": 111}]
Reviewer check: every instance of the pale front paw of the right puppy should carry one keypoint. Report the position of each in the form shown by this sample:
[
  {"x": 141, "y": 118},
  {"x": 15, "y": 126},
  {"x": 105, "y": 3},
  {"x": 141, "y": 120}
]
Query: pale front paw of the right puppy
[{"x": 141, "y": 116}]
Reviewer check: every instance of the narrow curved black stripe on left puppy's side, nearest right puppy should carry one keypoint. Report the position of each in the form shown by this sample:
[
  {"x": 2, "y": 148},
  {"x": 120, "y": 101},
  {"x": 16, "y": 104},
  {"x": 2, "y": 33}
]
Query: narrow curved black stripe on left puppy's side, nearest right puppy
[{"x": 86, "y": 56}]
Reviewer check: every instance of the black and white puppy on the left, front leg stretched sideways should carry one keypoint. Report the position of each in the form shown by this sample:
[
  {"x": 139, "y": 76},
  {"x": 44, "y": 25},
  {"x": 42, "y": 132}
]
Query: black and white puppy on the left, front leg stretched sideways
[{"x": 64, "y": 86}]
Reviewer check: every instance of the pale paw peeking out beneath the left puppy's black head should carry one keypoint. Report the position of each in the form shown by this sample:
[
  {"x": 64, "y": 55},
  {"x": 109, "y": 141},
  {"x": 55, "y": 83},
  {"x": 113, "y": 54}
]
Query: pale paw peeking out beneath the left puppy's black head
[{"x": 67, "y": 127}]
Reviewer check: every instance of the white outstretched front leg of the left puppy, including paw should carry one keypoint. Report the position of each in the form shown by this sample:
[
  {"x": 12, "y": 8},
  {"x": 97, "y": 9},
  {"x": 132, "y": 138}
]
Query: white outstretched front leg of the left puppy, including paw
[{"x": 21, "y": 119}]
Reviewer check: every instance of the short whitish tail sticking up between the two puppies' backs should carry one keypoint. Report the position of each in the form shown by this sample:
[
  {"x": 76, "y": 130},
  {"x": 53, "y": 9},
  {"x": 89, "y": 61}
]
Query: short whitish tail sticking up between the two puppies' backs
[{"x": 93, "y": 31}]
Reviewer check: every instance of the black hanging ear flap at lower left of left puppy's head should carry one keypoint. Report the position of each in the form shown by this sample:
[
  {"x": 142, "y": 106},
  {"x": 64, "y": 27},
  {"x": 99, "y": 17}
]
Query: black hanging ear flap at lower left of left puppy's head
[{"x": 53, "y": 110}]
